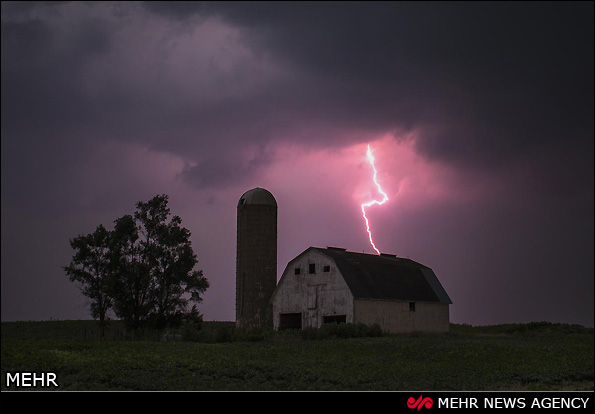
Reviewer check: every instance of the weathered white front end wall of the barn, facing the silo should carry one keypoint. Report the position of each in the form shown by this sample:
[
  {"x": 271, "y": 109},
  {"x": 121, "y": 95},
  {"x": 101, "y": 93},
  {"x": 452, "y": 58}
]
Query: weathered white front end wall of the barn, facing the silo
[{"x": 314, "y": 295}]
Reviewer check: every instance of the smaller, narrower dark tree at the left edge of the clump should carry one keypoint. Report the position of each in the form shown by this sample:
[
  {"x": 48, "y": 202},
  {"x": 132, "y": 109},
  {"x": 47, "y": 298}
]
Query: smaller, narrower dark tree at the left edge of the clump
[{"x": 90, "y": 268}]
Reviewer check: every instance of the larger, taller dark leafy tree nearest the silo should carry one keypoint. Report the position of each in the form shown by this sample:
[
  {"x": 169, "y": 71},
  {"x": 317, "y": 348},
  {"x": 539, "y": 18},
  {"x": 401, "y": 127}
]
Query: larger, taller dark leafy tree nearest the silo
[{"x": 155, "y": 280}]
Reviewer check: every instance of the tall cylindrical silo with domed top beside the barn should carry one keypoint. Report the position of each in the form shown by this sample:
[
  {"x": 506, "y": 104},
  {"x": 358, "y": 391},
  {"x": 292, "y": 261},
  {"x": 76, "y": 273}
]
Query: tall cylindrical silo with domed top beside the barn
[{"x": 256, "y": 258}]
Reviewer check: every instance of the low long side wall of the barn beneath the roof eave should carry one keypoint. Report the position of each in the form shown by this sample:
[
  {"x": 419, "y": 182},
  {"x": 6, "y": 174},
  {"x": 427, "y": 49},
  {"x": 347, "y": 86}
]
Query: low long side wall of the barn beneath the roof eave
[{"x": 396, "y": 316}]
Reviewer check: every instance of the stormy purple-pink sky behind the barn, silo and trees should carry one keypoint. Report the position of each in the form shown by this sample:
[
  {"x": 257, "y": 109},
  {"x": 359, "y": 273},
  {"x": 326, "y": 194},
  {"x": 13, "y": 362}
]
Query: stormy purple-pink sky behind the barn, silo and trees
[{"x": 480, "y": 117}]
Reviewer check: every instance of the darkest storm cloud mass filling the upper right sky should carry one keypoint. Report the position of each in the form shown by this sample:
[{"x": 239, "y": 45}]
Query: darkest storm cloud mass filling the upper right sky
[{"x": 485, "y": 81}]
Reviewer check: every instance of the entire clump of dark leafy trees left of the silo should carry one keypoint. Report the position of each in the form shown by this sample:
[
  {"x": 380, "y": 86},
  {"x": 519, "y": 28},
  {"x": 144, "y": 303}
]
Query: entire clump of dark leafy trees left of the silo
[{"x": 143, "y": 269}]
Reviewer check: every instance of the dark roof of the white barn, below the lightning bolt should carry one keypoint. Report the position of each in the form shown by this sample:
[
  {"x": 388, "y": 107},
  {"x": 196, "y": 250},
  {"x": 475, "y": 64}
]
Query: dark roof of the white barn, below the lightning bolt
[{"x": 386, "y": 277}]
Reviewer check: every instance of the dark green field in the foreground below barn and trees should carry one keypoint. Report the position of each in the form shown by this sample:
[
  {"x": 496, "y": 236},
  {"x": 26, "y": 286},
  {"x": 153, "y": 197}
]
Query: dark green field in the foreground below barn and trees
[{"x": 536, "y": 356}]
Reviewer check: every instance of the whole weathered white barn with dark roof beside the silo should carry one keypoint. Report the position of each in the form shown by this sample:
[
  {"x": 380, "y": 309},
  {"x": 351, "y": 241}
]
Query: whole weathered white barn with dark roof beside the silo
[{"x": 333, "y": 285}]
